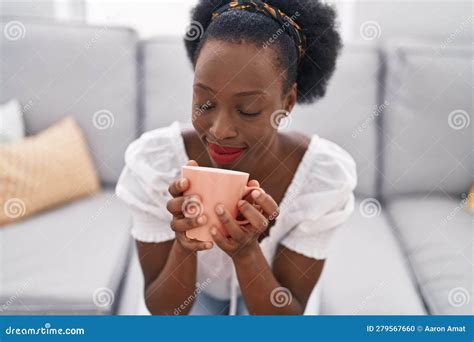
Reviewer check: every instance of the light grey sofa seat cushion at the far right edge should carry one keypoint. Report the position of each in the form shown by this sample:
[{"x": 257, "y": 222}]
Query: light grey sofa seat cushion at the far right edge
[{"x": 437, "y": 235}]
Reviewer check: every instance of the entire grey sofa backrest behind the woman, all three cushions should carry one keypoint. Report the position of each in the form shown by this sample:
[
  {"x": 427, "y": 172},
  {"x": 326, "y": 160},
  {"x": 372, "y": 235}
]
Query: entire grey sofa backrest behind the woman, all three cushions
[{"x": 402, "y": 103}]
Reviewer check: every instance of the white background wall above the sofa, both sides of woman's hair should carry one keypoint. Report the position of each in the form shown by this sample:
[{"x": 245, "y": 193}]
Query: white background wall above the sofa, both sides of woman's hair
[{"x": 438, "y": 20}]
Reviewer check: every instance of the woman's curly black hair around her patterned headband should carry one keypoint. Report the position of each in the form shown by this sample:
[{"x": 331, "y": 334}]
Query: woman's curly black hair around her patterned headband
[{"x": 318, "y": 23}]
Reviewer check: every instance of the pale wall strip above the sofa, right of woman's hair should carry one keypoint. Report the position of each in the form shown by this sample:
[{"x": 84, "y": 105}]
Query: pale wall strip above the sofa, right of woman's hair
[{"x": 437, "y": 21}]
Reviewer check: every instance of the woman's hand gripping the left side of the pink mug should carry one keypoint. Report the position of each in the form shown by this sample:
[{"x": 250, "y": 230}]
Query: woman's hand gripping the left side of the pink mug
[{"x": 180, "y": 224}]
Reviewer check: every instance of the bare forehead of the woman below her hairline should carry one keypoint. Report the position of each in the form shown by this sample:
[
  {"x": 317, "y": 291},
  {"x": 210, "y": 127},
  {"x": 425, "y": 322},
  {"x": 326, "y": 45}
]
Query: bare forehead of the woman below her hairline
[{"x": 224, "y": 65}]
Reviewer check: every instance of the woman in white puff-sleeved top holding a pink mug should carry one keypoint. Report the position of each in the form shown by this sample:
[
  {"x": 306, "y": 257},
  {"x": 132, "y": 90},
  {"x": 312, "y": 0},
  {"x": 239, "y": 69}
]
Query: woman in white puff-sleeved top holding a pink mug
[{"x": 252, "y": 63}]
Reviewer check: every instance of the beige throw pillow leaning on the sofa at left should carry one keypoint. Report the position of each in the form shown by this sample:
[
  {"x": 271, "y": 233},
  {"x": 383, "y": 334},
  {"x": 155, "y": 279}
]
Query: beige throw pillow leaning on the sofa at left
[{"x": 45, "y": 170}]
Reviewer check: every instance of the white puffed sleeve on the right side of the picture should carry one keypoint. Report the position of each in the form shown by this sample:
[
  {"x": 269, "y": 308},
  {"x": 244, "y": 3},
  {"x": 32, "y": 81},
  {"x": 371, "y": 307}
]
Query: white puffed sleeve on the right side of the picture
[{"x": 322, "y": 199}]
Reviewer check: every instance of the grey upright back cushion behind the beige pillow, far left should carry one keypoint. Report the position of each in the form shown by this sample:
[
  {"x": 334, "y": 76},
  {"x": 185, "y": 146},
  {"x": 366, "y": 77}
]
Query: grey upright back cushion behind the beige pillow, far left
[{"x": 89, "y": 72}]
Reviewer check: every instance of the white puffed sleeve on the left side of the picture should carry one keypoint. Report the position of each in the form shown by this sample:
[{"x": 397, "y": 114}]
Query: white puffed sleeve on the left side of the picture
[{"x": 152, "y": 162}]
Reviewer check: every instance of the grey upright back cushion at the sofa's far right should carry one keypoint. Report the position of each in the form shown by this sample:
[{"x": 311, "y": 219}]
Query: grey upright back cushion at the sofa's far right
[{"x": 427, "y": 124}]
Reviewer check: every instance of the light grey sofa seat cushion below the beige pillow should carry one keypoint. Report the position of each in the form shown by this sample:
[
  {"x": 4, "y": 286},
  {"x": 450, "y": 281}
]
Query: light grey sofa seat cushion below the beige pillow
[{"x": 69, "y": 260}]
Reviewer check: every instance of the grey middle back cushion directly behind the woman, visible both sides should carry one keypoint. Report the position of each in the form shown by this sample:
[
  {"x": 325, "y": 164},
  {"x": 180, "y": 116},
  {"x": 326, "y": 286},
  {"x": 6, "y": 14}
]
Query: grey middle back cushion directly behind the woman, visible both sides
[{"x": 350, "y": 102}]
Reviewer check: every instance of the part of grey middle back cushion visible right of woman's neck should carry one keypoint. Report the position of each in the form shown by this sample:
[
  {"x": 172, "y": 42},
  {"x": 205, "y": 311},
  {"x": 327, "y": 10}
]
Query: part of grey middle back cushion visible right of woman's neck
[{"x": 348, "y": 113}]
